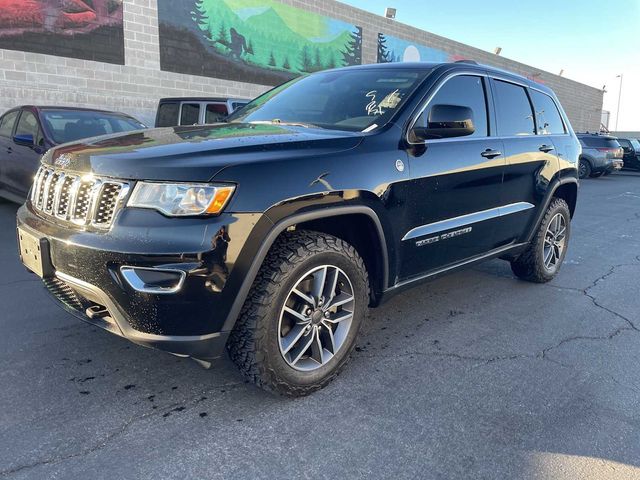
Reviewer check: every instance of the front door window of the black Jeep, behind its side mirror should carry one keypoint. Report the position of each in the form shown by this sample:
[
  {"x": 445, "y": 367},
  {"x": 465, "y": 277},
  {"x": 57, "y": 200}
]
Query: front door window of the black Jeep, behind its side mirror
[{"x": 465, "y": 91}]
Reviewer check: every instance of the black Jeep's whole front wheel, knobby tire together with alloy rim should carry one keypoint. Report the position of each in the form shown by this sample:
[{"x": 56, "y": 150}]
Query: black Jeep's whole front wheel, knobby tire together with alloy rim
[{"x": 258, "y": 342}]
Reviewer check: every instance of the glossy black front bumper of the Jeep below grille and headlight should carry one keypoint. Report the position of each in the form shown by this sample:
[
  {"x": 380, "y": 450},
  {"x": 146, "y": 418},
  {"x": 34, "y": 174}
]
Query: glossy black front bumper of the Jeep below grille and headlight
[{"x": 87, "y": 277}]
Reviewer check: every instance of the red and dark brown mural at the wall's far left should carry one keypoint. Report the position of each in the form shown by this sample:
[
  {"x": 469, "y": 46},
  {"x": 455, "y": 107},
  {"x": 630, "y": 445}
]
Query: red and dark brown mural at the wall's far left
[{"x": 85, "y": 29}]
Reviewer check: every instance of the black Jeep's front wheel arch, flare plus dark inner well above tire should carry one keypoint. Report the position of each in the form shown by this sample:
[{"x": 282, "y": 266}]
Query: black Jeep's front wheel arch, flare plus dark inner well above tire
[{"x": 326, "y": 220}]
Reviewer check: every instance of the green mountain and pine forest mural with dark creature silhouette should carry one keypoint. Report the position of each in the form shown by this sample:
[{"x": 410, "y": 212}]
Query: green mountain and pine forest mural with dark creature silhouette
[{"x": 256, "y": 41}]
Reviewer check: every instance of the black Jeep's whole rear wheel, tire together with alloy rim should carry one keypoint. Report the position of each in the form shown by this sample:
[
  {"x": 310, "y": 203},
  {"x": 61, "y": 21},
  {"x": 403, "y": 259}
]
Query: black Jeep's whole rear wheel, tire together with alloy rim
[{"x": 532, "y": 265}]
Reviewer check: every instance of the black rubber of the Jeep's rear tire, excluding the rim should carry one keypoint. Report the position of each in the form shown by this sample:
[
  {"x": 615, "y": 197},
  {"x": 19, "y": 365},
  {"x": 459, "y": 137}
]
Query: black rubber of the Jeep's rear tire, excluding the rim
[{"x": 530, "y": 265}]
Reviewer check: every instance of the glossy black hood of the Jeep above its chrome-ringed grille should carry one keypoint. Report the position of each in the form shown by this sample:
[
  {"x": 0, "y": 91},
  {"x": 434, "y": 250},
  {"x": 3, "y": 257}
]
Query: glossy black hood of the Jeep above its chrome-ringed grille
[{"x": 194, "y": 153}]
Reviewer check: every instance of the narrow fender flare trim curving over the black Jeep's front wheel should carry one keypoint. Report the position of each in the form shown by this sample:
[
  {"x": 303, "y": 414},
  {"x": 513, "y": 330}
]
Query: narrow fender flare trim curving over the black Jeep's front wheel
[{"x": 280, "y": 227}]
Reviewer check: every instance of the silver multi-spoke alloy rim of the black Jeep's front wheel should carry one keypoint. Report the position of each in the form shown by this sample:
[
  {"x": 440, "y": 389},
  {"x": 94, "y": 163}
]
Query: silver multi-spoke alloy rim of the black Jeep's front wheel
[{"x": 316, "y": 318}]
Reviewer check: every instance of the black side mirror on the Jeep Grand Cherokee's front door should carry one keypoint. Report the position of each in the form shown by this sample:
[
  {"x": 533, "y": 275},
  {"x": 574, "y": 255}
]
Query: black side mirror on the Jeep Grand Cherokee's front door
[{"x": 446, "y": 121}]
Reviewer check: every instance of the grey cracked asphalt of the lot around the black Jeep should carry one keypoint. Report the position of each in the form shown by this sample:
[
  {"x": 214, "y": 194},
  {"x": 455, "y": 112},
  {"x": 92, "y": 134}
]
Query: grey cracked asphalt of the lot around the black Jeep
[{"x": 475, "y": 375}]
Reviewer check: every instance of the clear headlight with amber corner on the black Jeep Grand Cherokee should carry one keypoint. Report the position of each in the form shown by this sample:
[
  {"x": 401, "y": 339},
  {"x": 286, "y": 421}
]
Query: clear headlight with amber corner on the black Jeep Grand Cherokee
[{"x": 181, "y": 199}]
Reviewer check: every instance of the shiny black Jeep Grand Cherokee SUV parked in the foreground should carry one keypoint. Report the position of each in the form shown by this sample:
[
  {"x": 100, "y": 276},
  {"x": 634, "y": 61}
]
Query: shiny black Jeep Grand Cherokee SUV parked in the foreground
[{"x": 272, "y": 234}]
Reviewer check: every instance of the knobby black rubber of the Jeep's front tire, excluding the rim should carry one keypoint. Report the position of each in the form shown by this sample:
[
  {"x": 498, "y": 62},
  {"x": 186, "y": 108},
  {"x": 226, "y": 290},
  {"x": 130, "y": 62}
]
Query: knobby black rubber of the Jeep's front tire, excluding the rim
[{"x": 253, "y": 345}]
